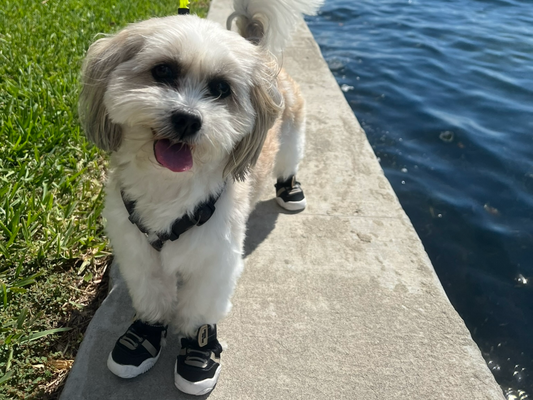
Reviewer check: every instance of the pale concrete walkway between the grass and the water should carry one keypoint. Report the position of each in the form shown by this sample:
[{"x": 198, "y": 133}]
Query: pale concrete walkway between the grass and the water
[{"x": 337, "y": 302}]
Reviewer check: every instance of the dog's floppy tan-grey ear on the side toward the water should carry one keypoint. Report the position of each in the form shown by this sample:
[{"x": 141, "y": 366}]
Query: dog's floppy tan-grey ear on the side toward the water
[{"x": 267, "y": 102}]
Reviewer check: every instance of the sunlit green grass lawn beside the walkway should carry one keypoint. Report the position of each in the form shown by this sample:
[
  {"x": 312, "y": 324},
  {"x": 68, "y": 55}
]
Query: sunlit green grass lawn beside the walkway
[{"x": 53, "y": 254}]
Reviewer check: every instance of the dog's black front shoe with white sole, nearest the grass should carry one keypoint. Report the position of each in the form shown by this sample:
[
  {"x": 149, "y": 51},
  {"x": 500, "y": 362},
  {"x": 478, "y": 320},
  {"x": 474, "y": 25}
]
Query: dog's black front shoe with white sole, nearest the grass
[{"x": 137, "y": 350}]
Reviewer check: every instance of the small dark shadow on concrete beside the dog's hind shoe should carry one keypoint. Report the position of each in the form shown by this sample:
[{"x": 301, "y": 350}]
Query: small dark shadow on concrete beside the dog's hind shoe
[{"x": 261, "y": 222}]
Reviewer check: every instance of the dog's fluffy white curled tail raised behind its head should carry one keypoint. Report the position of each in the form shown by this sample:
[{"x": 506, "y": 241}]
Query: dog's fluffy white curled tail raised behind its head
[{"x": 270, "y": 23}]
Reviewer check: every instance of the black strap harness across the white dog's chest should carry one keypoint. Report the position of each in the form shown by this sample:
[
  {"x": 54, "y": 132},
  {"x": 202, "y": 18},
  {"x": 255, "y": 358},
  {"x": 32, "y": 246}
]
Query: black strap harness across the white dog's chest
[{"x": 201, "y": 215}]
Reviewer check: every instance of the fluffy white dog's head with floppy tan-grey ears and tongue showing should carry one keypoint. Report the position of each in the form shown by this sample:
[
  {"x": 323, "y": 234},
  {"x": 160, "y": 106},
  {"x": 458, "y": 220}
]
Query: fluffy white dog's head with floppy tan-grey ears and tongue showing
[{"x": 181, "y": 93}]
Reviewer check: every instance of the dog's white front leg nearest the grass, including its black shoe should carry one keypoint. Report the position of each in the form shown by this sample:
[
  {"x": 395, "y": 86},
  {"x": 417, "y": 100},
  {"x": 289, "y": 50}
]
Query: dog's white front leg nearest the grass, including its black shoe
[{"x": 152, "y": 290}]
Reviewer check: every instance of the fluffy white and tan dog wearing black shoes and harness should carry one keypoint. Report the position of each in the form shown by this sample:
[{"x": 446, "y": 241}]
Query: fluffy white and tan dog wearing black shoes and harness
[{"x": 199, "y": 121}]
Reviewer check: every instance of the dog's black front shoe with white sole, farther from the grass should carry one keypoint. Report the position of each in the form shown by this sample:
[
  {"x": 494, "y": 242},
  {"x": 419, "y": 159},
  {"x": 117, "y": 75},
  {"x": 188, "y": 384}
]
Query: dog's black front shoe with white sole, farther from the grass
[{"x": 198, "y": 363}]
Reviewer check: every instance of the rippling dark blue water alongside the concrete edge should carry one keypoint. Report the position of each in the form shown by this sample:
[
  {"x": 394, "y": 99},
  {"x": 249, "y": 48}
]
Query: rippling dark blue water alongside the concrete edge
[{"x": 444, "y": 91}]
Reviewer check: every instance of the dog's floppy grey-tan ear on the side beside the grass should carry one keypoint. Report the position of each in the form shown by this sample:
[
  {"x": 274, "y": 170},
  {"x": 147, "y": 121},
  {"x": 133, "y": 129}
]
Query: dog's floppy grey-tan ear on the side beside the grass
[{"x": 102, "y": 58}]
